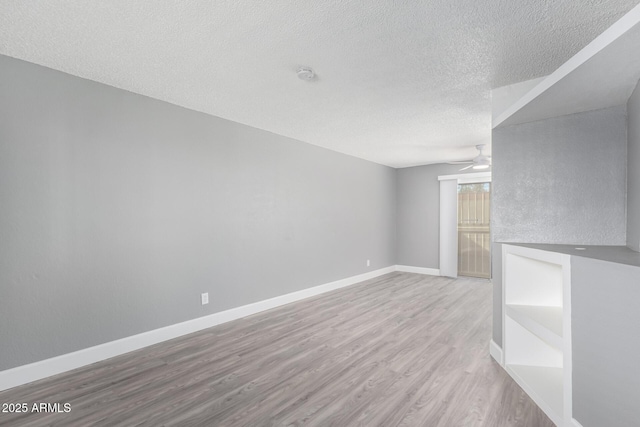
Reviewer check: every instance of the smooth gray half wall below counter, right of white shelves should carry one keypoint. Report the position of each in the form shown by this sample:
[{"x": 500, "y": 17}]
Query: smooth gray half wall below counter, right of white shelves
[{"x": 605, "y": 330}]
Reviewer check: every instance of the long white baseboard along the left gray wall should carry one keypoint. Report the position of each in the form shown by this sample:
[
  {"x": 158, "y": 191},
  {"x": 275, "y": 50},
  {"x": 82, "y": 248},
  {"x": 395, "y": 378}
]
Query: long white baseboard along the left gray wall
[{"x": 45, "y": 368}]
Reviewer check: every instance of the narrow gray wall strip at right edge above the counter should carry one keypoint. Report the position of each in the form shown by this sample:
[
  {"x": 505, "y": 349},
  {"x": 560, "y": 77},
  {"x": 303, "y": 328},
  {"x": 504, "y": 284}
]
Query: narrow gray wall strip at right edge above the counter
[{"x": 633, "y": 170}]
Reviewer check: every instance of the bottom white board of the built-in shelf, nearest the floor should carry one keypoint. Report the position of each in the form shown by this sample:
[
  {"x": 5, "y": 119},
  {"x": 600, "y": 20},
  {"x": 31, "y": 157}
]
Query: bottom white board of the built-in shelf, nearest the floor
[{"x": 544, "y": 385}]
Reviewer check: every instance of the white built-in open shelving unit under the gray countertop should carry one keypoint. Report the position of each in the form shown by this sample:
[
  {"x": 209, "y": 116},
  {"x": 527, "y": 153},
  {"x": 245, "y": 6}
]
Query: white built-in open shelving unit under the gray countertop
[{"x": 537, "y": 326}]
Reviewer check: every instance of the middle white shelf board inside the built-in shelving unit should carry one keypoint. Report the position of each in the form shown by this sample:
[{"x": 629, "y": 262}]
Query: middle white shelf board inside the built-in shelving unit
[{"x": 543, "y": 321}]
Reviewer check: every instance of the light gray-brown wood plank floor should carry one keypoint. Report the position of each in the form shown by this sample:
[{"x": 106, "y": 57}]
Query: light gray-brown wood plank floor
[{"x": 399, "y": 350}]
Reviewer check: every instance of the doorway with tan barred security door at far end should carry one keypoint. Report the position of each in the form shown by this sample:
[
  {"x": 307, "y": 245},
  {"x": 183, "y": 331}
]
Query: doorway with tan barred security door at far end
[{"x": 474, "y": 238}]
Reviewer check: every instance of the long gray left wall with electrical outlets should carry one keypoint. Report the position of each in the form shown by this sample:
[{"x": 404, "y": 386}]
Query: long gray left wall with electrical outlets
[{"x": 119, "y": 210}]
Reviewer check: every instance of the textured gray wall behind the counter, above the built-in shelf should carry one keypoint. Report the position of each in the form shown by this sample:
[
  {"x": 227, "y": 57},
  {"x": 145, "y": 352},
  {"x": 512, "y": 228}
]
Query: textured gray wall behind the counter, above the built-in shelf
[{"x": 560, "y": 180}]
